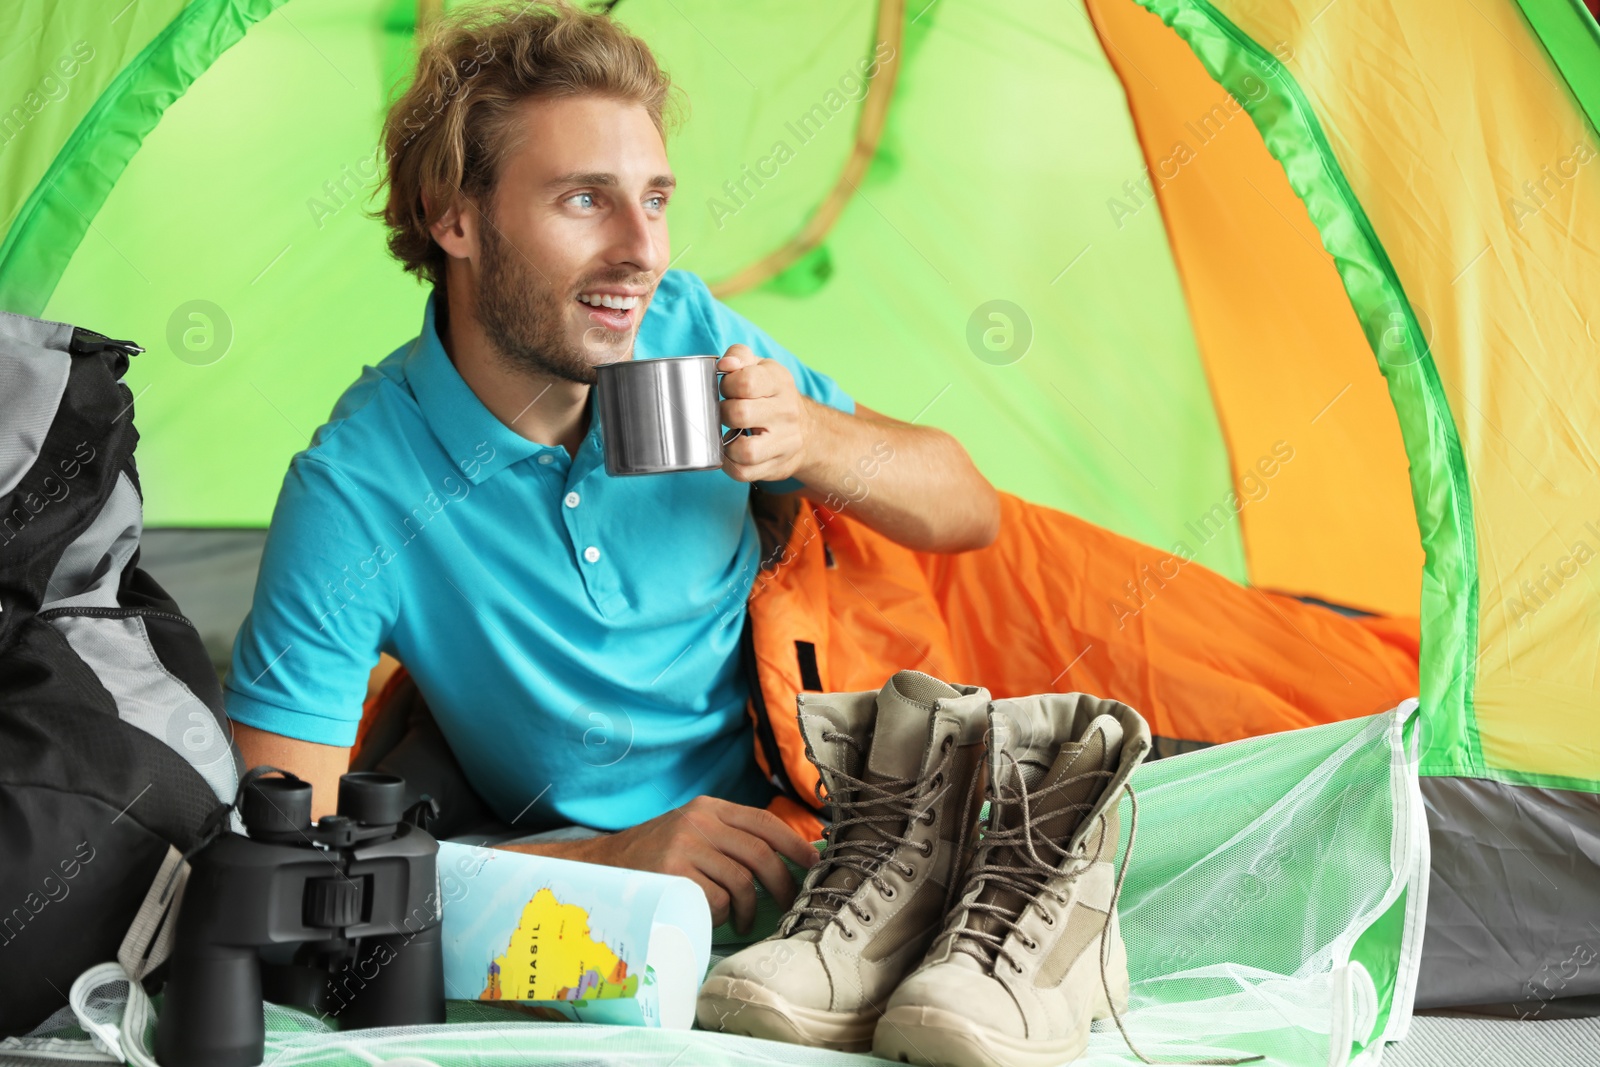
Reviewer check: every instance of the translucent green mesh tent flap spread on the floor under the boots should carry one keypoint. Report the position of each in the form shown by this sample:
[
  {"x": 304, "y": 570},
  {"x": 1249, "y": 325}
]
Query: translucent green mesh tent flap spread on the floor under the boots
[{"x": 1271, "y": 908}]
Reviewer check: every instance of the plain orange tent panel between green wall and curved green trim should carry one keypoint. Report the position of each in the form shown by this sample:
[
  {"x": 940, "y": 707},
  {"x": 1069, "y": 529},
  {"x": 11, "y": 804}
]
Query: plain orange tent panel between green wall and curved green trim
[{"x": 1290, "y": 369}]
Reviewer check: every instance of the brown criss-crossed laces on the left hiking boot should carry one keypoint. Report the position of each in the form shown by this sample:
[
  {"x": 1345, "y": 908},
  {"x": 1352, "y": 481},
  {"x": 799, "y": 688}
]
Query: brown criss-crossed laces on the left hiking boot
[{"x": 882, "y": 807}]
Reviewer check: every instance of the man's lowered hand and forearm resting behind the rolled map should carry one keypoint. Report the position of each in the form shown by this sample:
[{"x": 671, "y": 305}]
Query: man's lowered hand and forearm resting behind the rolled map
[{"x": 719, "y": 845}]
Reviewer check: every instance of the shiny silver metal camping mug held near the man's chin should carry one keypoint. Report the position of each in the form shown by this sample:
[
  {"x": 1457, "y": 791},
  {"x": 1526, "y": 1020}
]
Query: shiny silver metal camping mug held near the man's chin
[{"x": 662, "y": 415}]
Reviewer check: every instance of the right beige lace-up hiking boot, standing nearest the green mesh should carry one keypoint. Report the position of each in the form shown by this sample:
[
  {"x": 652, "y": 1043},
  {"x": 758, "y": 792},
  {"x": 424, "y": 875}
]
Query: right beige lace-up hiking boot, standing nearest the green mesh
[{"x": 1015, "y": 978}]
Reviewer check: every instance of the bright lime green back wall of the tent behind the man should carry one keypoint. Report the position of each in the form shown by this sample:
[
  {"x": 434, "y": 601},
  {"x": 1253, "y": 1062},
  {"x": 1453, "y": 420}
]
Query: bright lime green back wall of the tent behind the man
[{"x": 303, "y": 247}]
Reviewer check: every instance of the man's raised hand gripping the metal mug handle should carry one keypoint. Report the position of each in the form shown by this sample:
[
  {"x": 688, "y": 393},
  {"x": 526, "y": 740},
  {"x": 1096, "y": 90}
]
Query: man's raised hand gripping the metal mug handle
[{"x": 762, "y": 396}]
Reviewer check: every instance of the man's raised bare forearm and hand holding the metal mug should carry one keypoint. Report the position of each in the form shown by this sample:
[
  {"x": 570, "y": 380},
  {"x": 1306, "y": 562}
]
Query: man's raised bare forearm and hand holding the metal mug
[{"x": 913, "y": 484}]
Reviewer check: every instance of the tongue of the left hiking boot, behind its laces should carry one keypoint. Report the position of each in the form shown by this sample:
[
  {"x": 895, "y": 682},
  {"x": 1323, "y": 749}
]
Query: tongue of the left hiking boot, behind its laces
[{"x": 900, "y": 743}]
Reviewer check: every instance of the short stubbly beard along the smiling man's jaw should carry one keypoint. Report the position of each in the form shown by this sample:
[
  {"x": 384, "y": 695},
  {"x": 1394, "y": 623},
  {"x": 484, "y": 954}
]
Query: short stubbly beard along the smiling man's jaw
[{"x": 524, "y": 319}]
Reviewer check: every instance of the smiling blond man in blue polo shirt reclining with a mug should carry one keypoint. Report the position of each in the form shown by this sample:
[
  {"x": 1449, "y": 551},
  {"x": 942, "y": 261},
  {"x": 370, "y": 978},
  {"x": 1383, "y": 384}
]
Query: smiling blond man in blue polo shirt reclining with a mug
[{"x": 455, "y": 511}]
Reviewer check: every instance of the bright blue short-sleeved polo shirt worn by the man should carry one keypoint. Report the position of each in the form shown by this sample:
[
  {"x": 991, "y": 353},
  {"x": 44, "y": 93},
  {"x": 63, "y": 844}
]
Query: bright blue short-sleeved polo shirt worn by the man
[{"x": 577, "y": 636}]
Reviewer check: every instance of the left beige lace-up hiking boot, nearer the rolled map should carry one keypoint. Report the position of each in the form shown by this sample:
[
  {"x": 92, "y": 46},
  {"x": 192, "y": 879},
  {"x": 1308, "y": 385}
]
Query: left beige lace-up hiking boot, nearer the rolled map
[{"x": 903, "y": 772}]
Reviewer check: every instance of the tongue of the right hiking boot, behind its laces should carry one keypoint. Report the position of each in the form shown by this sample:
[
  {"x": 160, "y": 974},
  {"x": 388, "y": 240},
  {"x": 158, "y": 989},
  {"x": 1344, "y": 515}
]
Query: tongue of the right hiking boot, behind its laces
[{"x": 1055, "y": 815}]
